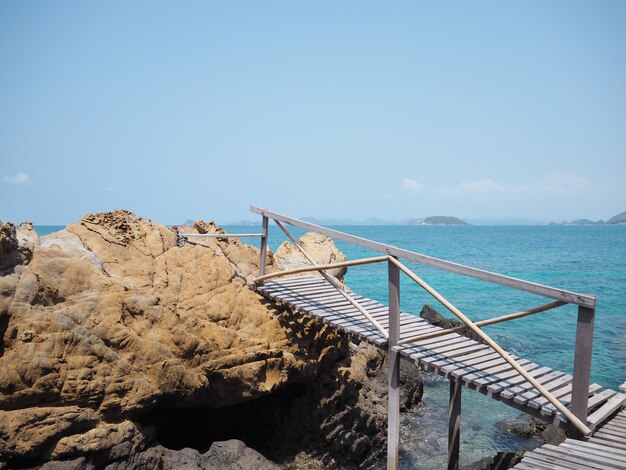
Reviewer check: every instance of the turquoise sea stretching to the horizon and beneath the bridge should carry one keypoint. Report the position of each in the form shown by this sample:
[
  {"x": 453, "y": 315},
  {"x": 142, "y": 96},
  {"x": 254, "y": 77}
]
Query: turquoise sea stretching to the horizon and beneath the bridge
[{"x": 585, "y": 259}]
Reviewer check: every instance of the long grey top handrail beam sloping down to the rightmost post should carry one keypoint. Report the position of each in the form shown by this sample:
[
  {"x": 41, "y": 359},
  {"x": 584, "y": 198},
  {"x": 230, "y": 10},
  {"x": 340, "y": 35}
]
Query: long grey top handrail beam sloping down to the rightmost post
[{"x": 584, "y": 300}]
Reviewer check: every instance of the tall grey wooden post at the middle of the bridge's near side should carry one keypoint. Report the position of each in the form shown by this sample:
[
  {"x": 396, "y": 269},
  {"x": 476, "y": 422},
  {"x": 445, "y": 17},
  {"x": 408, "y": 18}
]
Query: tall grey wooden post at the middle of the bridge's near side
[{"x": 393, "y": 413}]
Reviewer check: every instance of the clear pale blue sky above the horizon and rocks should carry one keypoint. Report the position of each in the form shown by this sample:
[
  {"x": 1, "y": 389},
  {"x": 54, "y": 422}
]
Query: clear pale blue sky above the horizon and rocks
[{"x": 195, "y": 110}]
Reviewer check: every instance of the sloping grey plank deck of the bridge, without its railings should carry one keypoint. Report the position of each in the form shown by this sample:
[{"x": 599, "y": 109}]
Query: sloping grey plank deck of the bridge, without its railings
[{"x": 453, "y": 356}]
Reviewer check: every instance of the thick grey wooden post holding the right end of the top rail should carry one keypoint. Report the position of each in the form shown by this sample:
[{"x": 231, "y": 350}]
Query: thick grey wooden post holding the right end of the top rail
[{"x": 582, "y": 363}]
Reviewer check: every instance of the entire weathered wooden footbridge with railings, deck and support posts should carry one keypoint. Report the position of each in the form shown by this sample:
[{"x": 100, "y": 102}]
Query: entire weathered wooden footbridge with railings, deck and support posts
[{"x": 569, "y": 401}]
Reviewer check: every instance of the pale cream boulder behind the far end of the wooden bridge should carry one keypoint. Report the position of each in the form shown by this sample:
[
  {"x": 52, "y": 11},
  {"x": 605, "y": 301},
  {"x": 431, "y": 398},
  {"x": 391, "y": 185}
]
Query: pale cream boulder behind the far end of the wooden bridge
[{"x": 321, "y": 248}]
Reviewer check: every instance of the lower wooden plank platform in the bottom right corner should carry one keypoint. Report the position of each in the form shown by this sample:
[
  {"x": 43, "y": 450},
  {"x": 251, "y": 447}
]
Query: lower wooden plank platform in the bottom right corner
[{"x": 605, "y": 450}]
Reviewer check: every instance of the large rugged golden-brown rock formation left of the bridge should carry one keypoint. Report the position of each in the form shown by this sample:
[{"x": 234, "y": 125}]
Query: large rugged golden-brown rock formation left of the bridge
[{"x": 113, "y": 317}]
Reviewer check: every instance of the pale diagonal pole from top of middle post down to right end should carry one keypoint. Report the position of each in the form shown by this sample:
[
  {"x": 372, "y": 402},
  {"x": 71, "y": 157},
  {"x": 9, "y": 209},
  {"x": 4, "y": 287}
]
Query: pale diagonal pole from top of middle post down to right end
[{"x": 582, "y": 427}]
